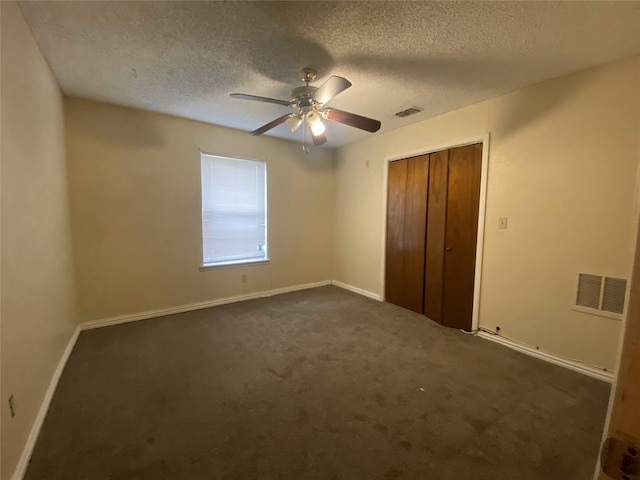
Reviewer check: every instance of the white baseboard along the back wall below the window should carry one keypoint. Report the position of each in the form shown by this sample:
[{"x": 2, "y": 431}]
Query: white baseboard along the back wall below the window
[{"x": 161, "y": 312}]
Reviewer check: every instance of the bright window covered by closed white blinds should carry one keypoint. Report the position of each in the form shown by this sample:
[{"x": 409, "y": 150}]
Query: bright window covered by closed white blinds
[{"x": 234, "y": 215}]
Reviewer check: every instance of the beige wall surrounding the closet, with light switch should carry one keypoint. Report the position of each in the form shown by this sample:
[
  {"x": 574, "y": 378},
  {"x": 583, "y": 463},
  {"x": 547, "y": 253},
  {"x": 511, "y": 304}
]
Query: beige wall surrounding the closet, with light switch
[{"x": 562, "y": 168}]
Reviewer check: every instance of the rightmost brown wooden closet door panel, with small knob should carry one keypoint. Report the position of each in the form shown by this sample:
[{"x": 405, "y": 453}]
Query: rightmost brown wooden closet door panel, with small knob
[{"x": 463, "y": 204}]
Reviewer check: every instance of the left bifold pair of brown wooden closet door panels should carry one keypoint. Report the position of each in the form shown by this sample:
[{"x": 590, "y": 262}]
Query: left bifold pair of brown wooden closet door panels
[{"x": 406, "y": 230}]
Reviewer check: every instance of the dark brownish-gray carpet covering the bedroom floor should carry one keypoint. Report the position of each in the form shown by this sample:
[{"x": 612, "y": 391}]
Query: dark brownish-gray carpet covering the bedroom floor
[{"x": 318, "y": 384}]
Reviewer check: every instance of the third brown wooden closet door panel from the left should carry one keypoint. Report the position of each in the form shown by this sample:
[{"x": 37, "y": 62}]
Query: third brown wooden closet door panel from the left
[{"x": 435, "y": 235}]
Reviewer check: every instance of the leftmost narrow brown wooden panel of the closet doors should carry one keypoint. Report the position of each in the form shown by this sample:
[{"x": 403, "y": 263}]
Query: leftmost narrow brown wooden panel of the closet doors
[{"x": 396, "y": 201}]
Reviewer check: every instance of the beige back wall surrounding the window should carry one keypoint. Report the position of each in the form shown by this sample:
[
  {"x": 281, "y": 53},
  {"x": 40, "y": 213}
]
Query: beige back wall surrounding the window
[{"x": 135, "y": 201}]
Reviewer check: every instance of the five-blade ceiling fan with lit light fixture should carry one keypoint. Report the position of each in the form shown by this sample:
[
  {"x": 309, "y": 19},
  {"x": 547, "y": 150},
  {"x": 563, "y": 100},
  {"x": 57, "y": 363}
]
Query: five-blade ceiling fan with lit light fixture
[{"x": 309, "y": 103}]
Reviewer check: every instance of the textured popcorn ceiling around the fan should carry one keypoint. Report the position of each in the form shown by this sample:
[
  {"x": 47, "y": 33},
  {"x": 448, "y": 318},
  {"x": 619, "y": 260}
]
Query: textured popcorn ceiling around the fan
[{"x": 185, "y": 58}]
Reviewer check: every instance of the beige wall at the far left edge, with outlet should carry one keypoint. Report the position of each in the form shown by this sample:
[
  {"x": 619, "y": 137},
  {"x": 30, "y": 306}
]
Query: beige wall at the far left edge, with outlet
[{"x": 38, "y": 302}]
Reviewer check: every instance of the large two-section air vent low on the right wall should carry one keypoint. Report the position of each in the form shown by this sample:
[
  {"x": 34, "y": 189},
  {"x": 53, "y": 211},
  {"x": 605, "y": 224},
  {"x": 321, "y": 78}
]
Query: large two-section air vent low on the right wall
[{"x": 601, "y": 295}]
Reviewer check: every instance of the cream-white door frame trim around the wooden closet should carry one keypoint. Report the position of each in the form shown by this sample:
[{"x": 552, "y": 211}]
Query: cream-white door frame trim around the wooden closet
[{"x": 484, "y": 139}]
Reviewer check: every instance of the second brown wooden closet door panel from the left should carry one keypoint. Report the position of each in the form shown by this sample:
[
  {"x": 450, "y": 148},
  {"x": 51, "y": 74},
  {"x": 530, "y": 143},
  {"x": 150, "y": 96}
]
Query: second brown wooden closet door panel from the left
[{"x": 414, "y": 232}]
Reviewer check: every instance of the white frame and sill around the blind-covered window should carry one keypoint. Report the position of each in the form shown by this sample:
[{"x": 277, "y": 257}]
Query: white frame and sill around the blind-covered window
[{"x": 239, "y": 262}]
